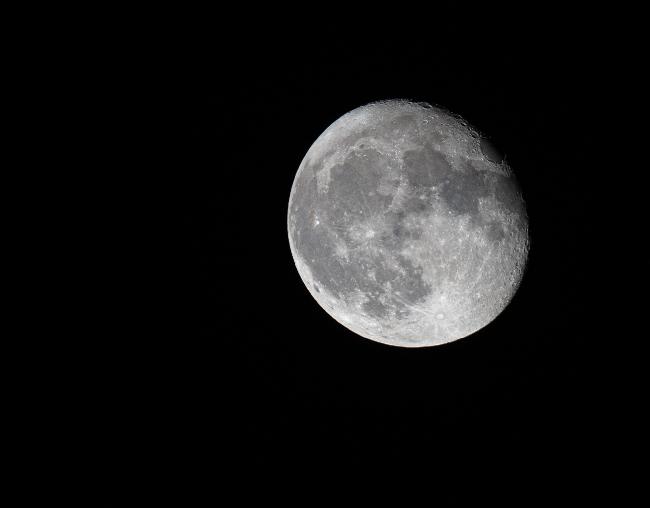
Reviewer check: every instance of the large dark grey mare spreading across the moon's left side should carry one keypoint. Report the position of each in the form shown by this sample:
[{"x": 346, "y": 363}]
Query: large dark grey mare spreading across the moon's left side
[{"x": 346, "y": 202}]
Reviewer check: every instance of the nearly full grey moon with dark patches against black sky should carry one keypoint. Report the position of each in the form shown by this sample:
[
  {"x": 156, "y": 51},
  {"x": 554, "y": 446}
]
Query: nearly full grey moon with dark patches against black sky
[{"x": 407, "y": 226}]
